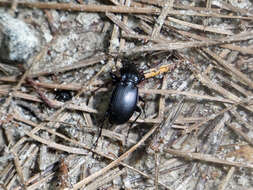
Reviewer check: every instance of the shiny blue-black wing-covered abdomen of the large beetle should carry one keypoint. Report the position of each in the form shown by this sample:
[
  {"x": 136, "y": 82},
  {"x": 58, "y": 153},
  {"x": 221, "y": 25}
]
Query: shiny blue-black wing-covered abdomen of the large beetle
[{"x": 123, "y": 103}]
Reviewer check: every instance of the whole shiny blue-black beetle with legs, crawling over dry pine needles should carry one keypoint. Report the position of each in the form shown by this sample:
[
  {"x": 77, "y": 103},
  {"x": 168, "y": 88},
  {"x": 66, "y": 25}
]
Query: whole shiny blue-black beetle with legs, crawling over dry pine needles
[{"x": 124, "y": 97}]
